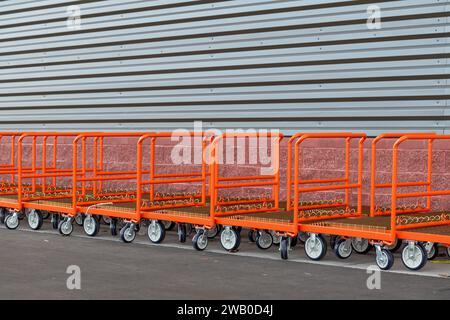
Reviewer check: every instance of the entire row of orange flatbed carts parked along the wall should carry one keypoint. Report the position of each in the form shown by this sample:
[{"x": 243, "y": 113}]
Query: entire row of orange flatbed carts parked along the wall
[{"x": 220, "y": 184}]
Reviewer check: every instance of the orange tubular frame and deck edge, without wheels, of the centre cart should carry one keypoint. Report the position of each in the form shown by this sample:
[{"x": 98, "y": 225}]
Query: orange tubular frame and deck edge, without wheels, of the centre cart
[{"x": 218, "y": 183}]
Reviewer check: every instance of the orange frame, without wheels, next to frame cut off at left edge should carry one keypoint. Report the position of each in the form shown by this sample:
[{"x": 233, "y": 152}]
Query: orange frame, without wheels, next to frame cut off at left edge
[{"x": 40, "y": 174}]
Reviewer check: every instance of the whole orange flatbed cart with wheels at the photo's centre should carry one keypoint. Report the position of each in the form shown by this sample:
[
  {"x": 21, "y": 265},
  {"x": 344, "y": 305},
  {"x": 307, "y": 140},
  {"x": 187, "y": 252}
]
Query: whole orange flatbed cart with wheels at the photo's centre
[{"x": 259, "y": 211}]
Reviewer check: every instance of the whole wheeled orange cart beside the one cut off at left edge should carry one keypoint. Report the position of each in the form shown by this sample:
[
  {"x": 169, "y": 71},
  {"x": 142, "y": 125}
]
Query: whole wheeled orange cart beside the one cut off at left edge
[{"x": 43, "y": 172}]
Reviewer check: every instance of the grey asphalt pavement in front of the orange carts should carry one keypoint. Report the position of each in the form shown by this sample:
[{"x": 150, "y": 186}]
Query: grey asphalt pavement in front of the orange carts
[{"x": 34, "y": 265}]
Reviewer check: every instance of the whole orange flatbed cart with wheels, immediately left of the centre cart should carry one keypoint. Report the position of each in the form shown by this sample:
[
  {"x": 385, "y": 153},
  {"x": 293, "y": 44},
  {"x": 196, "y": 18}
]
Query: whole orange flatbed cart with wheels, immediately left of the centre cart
[{"x": 183, "y": 208}]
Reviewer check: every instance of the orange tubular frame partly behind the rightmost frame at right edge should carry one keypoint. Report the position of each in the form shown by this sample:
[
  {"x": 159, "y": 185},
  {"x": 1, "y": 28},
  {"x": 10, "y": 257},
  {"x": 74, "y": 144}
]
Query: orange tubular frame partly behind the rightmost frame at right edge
[{"x": 374, "y": 211}]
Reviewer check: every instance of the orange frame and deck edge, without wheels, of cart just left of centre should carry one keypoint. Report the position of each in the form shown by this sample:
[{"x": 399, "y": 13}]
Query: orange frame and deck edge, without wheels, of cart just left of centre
[{"x": 158, "y": 206}]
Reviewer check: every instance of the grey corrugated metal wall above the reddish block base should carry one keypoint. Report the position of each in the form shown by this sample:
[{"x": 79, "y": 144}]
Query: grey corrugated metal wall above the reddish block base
[{"x": 296, "y": 65}]
